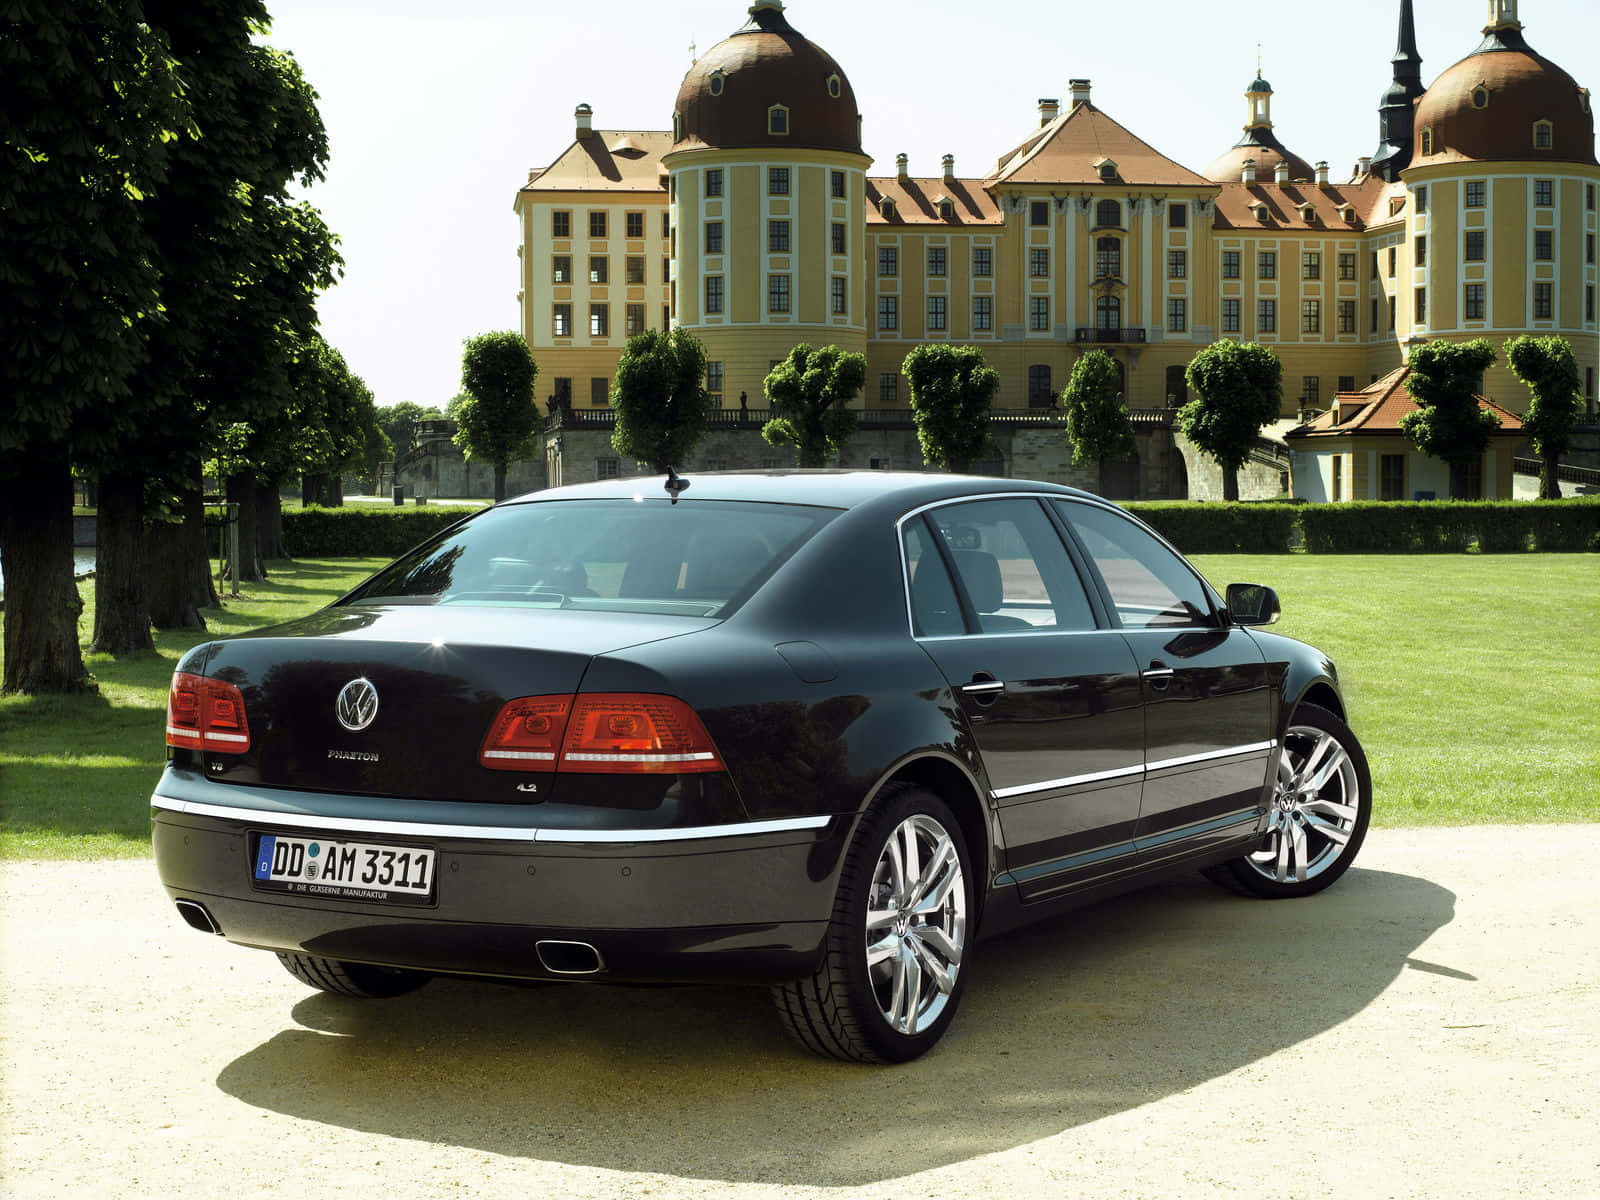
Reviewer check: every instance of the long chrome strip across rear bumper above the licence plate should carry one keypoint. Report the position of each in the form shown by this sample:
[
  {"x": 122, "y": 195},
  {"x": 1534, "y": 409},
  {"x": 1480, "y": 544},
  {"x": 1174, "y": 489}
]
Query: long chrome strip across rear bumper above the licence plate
[{"x": 276, "y": 820}]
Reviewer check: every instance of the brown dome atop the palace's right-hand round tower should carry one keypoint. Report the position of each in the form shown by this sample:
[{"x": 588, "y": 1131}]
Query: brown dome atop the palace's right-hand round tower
[{"x": 1486, "y": 110}]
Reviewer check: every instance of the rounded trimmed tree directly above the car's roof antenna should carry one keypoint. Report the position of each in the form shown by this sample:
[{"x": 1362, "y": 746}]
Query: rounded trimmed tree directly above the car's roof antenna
[{"x": 660, "y": 399}]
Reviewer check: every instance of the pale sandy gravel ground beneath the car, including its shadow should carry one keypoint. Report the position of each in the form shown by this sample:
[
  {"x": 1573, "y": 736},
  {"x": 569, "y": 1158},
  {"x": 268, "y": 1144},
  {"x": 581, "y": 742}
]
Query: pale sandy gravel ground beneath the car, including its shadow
[{"x": 1428, "y": 1028}]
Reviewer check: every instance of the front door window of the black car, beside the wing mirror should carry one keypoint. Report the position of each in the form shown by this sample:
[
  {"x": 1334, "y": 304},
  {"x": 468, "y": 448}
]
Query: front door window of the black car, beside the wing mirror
[{"x": 1151, "y": 588}]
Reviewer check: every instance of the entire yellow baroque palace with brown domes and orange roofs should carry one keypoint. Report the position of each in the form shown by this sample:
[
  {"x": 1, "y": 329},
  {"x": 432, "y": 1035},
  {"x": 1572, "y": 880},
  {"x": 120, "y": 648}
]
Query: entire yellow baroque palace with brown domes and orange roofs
[{"x": 758, "y": 225}]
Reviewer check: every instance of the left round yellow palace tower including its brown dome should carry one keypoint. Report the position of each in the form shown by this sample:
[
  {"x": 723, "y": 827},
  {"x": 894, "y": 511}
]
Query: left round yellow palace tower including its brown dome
[{"x": 767, "y": 196}]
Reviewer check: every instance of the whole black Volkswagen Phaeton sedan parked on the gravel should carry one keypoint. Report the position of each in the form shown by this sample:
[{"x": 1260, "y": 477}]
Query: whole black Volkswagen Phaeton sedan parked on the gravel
[{"x": 814, "y": 730}]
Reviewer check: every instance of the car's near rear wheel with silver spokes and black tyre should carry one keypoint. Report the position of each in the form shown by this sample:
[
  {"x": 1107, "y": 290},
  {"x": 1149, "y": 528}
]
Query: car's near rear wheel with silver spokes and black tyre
[{"x": 841, "y": 1010}]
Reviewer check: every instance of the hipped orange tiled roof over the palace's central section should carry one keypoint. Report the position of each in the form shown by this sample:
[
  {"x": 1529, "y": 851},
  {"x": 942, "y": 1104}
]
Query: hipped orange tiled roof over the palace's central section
[{"x": 1066, "y": 151}]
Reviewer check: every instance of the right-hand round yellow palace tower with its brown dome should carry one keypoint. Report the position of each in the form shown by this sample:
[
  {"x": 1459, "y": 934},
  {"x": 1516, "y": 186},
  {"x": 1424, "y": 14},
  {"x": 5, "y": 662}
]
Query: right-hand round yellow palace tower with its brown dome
[{"x": 1503, "y": 188}]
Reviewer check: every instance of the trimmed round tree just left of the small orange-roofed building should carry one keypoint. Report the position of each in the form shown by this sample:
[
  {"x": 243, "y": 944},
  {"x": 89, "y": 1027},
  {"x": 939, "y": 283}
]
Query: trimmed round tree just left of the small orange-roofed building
[{"x": 1239, "y": 390}]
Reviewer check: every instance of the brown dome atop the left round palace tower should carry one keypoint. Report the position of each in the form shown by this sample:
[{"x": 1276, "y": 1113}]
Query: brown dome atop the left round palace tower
[{"x": 726, "y": 98}]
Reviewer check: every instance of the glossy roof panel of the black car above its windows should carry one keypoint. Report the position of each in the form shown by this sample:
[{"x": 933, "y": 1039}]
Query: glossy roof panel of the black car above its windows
[{"x": 822, "y": 487}]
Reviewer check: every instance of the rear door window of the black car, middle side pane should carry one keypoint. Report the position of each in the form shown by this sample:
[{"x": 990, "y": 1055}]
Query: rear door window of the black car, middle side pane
[{"x": 1012, "y": 567}]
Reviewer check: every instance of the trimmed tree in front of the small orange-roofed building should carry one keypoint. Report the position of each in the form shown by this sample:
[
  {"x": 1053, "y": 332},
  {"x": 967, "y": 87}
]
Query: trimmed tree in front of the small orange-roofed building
[{"x": 1450, "y": 425}]
